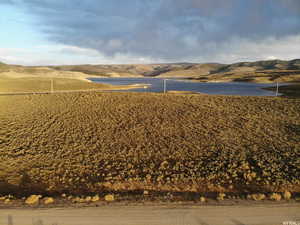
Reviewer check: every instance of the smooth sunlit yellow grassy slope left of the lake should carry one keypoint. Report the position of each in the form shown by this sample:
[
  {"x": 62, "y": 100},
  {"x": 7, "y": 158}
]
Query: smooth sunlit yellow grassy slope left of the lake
[{"x": 39, "y": 79}]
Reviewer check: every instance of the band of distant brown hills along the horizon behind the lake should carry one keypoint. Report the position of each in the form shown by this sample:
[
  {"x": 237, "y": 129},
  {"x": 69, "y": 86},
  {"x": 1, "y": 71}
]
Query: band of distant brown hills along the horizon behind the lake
[{"x": 260, "y": 71}]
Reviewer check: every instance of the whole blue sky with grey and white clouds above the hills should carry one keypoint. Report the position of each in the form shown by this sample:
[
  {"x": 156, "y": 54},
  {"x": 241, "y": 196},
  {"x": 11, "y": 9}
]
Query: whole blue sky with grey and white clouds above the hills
[{"x": 56, "y": 32}]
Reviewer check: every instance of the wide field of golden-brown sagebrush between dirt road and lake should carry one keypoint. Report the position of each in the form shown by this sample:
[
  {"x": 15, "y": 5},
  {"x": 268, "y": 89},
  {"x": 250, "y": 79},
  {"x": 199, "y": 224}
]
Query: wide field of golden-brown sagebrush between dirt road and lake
[{"x": 79, "y": 143}]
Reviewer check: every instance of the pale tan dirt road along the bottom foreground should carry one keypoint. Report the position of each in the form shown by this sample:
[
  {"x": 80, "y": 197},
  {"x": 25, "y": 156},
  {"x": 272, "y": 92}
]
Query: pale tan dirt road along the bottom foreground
[{"x": 155, "y": 215}]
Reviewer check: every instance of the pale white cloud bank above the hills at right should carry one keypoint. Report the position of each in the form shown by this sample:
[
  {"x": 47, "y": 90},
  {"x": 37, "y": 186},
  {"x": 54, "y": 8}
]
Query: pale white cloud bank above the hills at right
[{"x": 237, "y": 50}]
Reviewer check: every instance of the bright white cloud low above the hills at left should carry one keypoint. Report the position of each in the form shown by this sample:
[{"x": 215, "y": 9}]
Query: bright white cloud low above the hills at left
[{"x": 64, "y": 55}]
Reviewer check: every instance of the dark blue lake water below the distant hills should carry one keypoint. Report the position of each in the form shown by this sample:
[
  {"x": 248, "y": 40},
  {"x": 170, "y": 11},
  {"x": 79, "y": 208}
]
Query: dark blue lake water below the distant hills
[{"x": 156, "y": 85}]
